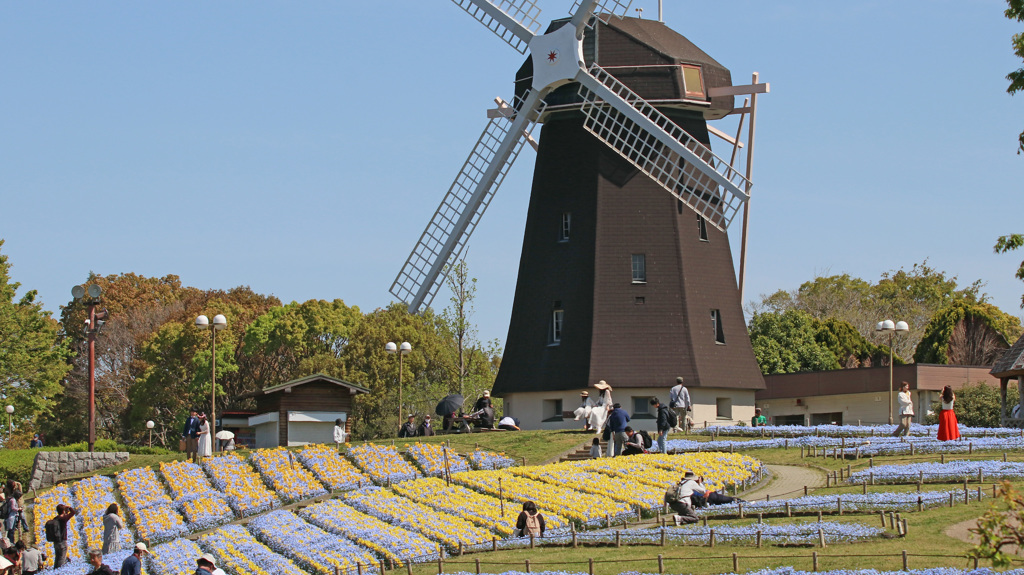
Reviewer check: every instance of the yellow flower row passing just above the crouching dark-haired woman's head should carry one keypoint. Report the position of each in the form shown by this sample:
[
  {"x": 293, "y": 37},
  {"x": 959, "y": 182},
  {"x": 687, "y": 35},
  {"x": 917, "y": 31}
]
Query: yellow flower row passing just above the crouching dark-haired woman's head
[{"x": 588, "y": 509}]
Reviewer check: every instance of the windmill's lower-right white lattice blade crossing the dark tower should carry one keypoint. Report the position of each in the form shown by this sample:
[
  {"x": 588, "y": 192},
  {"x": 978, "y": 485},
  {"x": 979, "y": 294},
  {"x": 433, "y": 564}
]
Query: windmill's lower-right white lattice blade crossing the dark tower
[{"x": 659, "y": 148}]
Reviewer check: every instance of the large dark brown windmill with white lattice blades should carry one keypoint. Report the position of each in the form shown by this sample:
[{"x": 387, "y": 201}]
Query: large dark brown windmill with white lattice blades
[{"x": 601, "y": 134}]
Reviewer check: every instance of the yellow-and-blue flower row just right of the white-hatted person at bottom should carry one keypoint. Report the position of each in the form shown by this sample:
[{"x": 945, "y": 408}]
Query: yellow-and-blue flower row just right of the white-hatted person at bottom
[{"x": 238, "y": 552}]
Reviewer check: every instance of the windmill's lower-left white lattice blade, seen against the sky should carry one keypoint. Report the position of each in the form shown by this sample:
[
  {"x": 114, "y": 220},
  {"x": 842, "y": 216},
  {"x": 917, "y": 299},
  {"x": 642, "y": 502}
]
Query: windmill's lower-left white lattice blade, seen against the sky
[{"x": 454, "y": 222}]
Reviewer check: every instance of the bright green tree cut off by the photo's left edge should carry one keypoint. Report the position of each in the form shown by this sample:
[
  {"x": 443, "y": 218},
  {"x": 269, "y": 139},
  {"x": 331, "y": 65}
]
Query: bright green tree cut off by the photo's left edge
[{"x": 33, "y": 360}]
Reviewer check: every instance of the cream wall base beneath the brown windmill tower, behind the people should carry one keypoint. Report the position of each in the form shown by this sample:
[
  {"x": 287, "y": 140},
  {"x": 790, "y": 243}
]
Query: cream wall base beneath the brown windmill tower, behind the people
[{"x": 536, "y": 410}]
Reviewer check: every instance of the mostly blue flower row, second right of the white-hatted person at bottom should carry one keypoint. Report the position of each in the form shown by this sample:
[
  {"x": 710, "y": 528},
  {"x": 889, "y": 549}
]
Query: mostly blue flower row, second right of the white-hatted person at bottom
[{"x": 316, "y": 551}]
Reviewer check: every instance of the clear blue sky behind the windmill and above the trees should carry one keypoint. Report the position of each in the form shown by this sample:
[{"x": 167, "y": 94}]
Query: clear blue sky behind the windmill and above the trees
[{"x": 301, "y": 148}]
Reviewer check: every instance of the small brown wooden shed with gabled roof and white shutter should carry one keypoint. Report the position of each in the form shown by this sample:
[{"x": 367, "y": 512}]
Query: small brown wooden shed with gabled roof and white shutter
[{"x": 303, "y": 411}]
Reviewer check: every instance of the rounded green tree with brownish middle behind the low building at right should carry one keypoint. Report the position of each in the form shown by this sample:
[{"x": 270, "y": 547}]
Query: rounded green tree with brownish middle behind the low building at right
[{"x": 967, "y": 334}]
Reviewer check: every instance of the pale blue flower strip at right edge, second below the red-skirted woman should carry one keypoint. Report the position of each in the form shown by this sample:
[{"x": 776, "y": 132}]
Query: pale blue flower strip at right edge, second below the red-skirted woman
[{"x": 951, "y": 471}]
